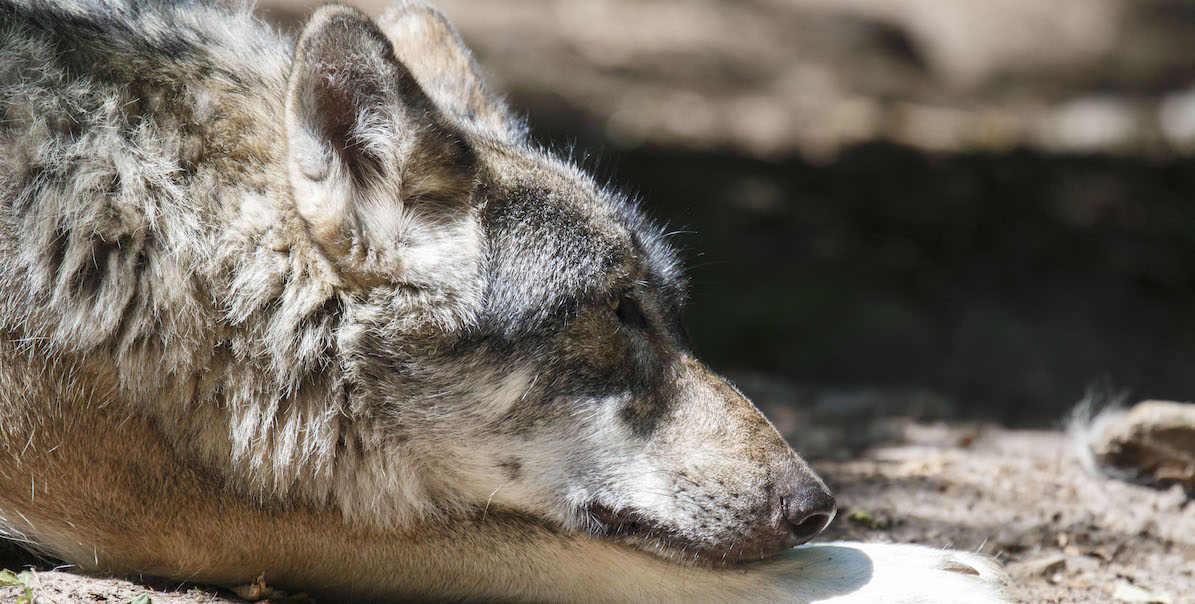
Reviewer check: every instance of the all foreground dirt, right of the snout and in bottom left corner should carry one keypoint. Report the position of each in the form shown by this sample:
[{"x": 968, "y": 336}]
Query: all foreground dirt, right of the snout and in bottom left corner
[{"x": 1021, "y": 496}]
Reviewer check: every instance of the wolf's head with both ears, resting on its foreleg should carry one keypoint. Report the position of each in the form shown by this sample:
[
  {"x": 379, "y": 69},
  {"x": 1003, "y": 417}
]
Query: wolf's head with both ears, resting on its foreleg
[{"x": 511, "y": 328}]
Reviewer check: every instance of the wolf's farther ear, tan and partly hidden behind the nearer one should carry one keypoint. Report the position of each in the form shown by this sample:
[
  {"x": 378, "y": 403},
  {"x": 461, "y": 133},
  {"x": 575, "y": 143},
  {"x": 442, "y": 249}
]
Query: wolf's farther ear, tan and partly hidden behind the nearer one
[{"x": 432, "y": 48}]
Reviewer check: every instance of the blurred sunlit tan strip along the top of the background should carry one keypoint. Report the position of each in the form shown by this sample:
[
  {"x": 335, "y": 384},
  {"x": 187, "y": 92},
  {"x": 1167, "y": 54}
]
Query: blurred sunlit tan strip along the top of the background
[{"x": 769, "y": 78}]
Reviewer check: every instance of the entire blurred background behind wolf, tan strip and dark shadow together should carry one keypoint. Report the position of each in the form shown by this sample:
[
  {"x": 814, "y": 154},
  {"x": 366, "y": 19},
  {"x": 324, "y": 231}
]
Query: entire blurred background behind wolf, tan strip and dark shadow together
[{"x": 966, "y": 209}]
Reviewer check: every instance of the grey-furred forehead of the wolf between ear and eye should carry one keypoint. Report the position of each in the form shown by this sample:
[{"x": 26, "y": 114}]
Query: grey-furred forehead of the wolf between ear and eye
[{"x": 555, "y": 243}]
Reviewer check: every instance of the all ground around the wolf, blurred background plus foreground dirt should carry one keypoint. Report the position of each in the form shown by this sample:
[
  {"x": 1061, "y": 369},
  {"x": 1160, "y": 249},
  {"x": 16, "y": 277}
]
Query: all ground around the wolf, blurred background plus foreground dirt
[{"x": 988, "y": 200}]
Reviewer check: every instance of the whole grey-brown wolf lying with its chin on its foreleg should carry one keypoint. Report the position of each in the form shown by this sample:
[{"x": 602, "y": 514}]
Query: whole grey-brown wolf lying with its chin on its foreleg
[{"x": 321, "y": 309}]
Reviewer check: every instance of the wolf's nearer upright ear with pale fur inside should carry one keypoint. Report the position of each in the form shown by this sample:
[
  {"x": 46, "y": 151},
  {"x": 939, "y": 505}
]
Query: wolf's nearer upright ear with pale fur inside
[{"x": 369, "y": 154}]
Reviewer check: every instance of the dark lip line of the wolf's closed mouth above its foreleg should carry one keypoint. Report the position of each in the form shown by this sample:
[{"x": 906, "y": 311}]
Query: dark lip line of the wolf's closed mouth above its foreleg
[{"x": 636, "y": 530}]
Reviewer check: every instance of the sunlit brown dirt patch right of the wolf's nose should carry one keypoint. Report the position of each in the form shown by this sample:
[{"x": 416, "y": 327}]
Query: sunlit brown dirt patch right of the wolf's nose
[{"x": 1021, "y": 496}]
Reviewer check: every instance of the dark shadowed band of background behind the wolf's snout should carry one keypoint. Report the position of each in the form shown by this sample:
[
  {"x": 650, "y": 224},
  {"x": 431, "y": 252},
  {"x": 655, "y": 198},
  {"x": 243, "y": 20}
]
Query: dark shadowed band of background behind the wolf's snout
[{"x": 1010, "y": 283}]
